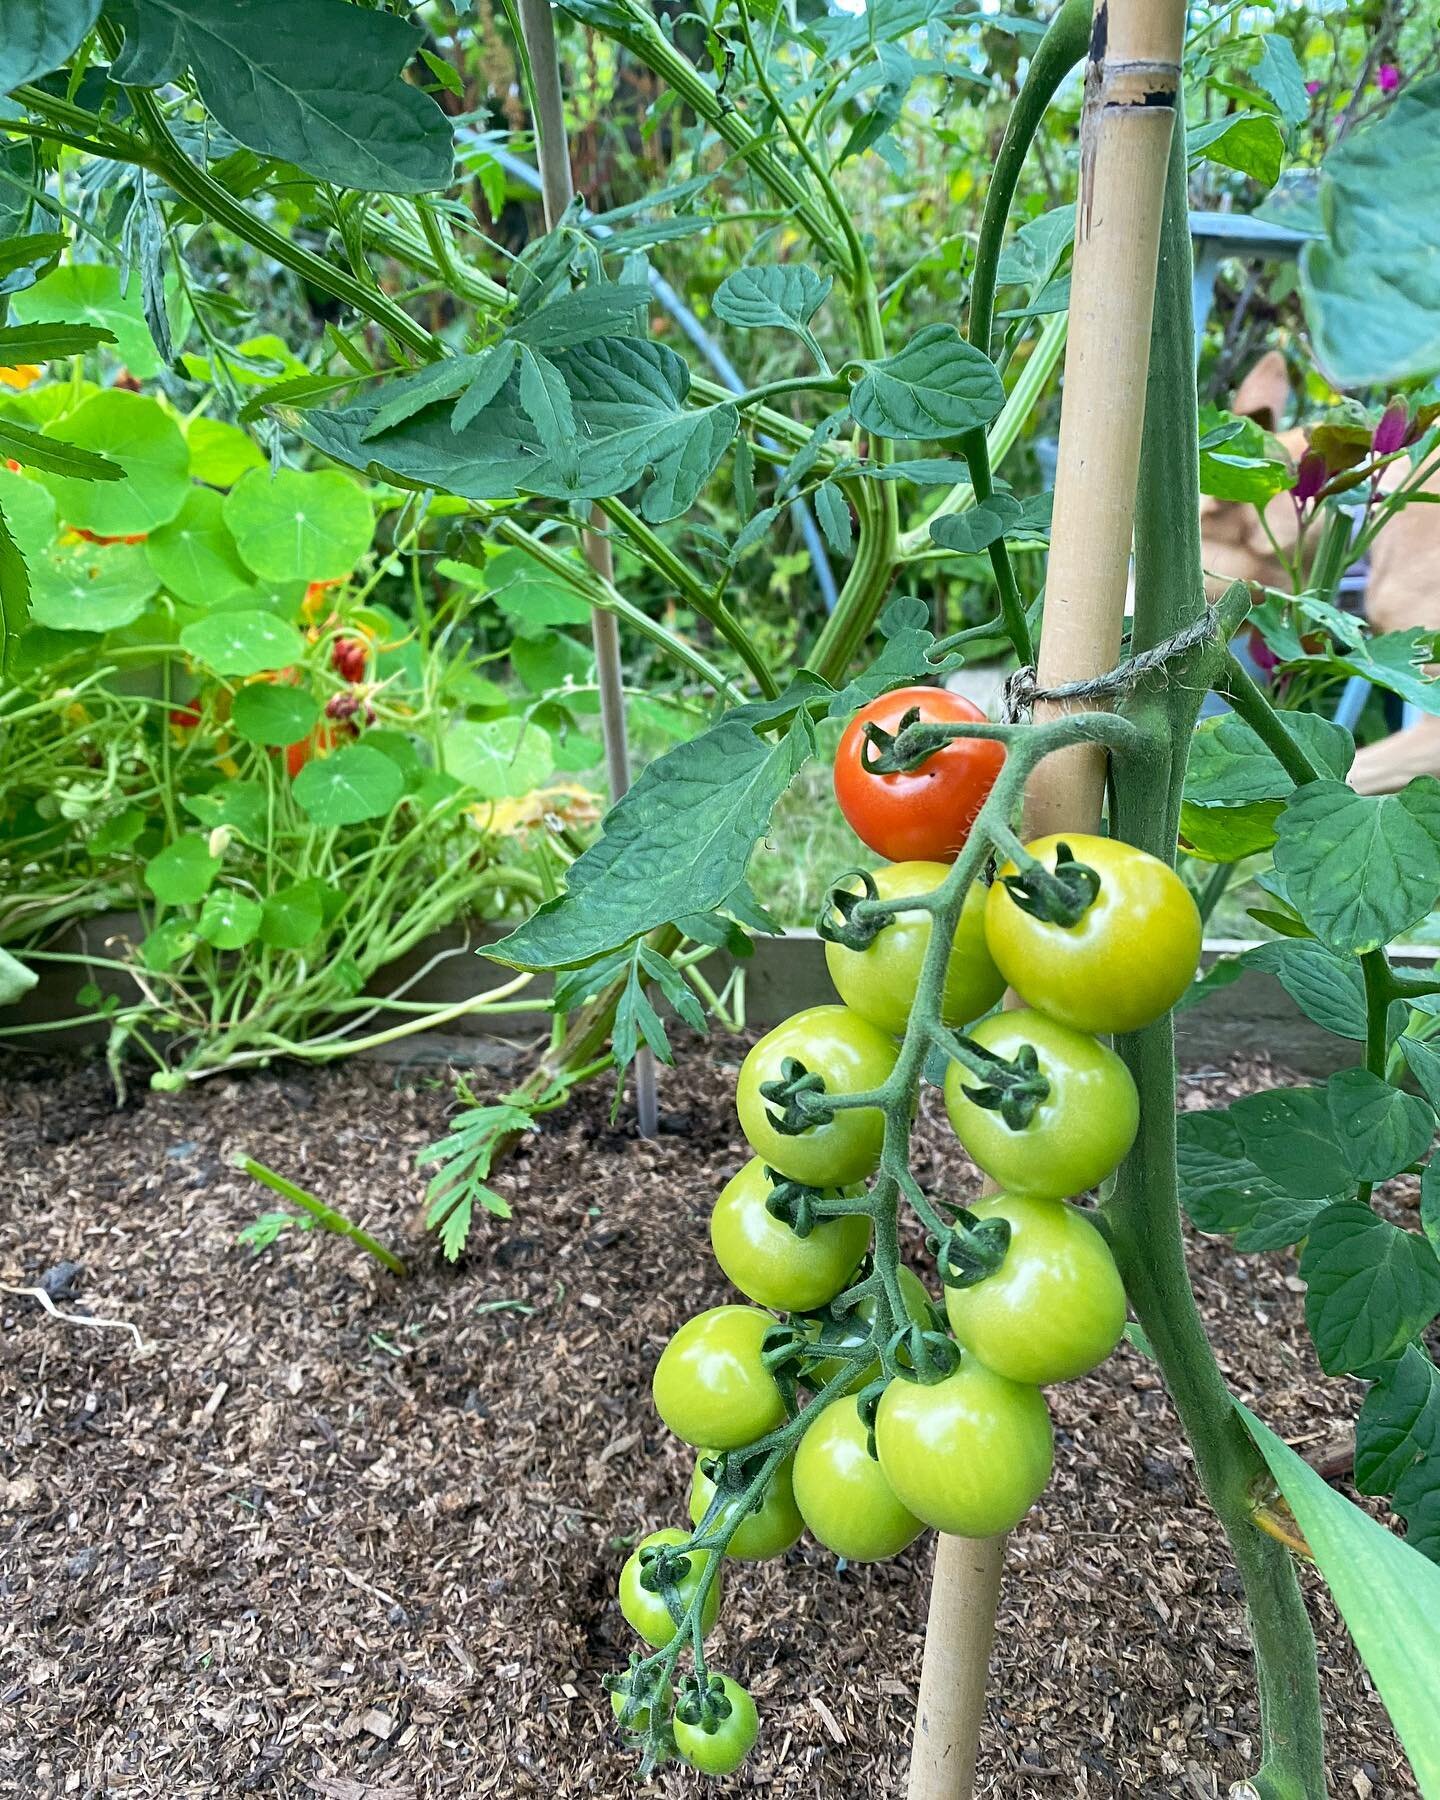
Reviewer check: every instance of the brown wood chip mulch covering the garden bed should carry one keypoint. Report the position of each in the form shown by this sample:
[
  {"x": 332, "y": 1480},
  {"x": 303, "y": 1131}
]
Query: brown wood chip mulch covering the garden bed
[{"x": 341, "y": 1536}]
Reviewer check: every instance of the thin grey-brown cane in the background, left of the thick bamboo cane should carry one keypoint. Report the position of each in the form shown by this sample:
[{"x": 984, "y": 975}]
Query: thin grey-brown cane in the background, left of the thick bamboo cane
[{"x": 557, "y": 184}]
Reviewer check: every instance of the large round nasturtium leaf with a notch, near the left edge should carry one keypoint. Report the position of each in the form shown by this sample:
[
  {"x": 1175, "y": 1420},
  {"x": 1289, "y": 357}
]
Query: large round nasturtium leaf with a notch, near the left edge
[{"x": 145, "y": 440}]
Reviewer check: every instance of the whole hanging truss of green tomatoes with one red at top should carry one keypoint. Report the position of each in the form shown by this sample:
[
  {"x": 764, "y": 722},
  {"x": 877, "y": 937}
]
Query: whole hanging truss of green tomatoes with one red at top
[{"x": 919, "y": 1414}]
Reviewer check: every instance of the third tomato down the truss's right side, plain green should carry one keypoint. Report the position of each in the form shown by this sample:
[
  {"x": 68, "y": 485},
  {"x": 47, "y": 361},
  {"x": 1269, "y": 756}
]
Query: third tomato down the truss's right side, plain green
[{"x": 1056, "y": 1308}]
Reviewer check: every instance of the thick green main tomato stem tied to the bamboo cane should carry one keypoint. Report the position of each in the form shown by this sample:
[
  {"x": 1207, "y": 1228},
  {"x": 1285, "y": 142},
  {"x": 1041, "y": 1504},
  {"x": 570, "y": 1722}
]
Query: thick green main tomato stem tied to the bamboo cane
[{"x": 1144, "y": 1210}]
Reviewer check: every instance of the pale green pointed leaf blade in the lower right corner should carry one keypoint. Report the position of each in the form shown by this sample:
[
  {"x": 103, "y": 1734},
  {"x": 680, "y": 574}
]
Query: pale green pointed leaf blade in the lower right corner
[{"x": 1387, "y": 1596}]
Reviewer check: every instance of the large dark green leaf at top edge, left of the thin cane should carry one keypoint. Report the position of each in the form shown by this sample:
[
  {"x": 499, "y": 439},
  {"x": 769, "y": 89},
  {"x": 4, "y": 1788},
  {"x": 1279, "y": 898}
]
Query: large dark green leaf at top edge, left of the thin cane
[{"x": 307, "y": 82}]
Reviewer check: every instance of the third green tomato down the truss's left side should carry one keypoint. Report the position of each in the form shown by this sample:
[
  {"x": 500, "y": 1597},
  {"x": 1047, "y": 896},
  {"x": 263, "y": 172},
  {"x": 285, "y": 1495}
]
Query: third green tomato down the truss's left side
[{"x": 764, "y": 1257}]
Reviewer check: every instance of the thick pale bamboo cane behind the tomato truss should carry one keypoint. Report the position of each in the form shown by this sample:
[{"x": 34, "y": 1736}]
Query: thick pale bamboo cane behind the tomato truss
[{"x": 1131, "y": 84}]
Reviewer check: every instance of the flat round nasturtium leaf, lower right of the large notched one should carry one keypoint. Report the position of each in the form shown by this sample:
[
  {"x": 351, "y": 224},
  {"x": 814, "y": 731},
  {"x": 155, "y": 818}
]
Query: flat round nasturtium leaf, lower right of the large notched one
[{"x": 300, "y": 526}]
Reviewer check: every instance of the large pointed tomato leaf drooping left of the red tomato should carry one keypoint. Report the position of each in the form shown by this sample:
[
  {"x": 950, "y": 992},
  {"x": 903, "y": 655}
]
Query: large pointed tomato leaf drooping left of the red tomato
[{"x": 678, "y": 843}]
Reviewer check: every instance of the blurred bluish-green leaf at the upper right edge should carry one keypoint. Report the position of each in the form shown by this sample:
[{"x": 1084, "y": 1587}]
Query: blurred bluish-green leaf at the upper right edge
[{"x": 1371, "y": 285}]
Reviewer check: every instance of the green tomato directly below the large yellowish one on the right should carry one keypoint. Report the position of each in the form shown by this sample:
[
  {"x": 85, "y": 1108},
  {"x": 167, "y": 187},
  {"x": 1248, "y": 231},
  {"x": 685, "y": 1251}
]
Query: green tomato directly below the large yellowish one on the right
[{"x": 1081, "y": 1131}]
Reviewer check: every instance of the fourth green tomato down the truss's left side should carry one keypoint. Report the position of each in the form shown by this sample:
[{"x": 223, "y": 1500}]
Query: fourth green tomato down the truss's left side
[{"x": 712, "y": 1387}]
